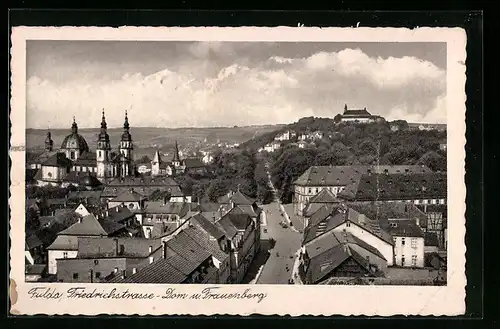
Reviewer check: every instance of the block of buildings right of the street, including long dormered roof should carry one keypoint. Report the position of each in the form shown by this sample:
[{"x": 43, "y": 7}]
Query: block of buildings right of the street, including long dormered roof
[{"x": 361, "y": 221}]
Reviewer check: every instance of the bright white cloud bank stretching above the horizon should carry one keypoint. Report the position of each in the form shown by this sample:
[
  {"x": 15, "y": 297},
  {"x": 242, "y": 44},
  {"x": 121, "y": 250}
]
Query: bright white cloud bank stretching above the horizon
[{"x": 198, "y": 92}]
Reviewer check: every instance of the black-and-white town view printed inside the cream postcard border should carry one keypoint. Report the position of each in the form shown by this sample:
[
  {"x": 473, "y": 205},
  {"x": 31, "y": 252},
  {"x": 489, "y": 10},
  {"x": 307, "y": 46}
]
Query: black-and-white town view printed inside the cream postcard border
[{"x": 252, "y": 163}]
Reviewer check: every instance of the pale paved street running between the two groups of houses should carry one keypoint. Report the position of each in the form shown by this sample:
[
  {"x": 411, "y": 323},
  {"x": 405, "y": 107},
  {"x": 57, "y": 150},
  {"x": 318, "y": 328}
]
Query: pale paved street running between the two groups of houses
[{"x": 287, "y": 243}]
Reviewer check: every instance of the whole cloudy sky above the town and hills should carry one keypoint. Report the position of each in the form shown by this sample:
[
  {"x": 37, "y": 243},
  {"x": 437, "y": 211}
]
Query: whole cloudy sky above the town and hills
[{"x": 208, "y": 84}]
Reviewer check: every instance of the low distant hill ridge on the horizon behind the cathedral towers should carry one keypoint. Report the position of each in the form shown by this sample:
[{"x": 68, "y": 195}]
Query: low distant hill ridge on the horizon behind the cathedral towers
[{"x": 147, "y": 139}]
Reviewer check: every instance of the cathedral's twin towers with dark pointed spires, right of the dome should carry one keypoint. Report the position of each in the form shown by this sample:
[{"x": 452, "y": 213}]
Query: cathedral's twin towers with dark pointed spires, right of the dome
[{"x": 109, "y": 164}]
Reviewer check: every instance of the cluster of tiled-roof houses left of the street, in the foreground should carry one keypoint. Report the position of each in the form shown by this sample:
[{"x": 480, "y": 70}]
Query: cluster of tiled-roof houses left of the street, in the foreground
[{"x": 140, "y": 241}]
